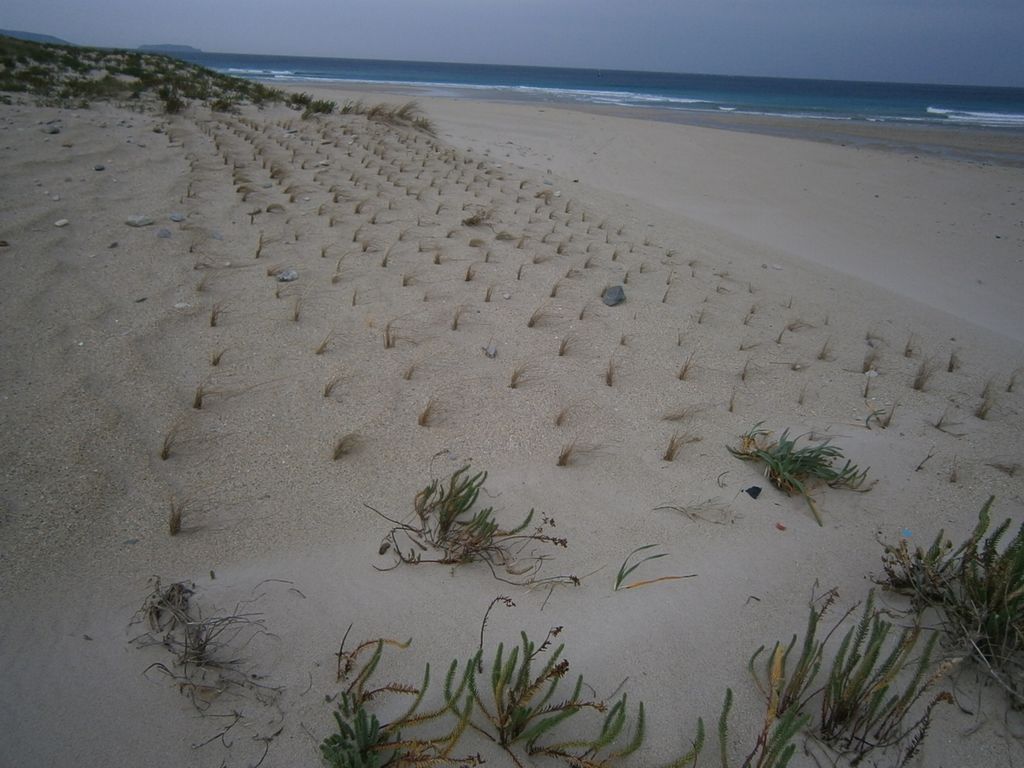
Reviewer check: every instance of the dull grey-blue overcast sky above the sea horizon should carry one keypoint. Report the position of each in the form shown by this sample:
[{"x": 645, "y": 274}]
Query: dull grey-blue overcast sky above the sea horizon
[{"x": 946, "y": 41}]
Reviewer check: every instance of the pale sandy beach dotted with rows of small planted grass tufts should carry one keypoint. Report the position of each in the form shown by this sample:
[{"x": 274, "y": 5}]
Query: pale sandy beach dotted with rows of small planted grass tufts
[{"x": 447, "y": 312}]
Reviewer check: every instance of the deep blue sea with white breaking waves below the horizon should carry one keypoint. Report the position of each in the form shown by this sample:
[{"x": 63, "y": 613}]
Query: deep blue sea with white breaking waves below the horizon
[{"x": 825, "y": 100}]
